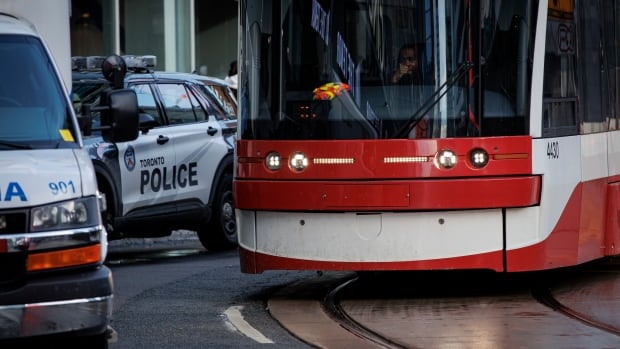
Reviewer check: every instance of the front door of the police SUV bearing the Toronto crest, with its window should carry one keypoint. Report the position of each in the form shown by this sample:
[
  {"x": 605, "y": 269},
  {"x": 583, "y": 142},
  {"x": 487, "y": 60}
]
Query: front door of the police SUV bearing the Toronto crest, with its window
[{"x": 147, "y": 164}]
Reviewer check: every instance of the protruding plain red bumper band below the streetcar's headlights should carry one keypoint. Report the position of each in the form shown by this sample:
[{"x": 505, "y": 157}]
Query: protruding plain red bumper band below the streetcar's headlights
[{"x": 420, "y": 194}]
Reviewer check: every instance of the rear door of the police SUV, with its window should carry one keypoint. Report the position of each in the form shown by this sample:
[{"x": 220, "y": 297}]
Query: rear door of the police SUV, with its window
[{"x": 198, "y": 141}]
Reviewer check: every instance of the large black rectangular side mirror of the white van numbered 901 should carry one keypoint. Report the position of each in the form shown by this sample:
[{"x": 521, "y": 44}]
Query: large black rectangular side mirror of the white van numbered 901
[{"x": 119, "y": 115}]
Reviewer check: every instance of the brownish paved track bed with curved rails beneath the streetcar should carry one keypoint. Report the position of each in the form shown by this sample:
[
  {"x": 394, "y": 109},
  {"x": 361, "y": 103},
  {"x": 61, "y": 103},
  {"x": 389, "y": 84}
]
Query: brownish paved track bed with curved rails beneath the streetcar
[{"x": 335, "y": 309}]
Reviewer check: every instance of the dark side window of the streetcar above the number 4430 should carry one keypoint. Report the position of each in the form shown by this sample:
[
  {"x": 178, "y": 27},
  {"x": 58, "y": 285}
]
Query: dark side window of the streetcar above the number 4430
[{"x": 581, "y": 64}]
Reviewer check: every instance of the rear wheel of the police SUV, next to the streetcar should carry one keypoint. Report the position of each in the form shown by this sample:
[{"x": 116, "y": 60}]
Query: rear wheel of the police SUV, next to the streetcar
[{"x": 220, "y": 233}]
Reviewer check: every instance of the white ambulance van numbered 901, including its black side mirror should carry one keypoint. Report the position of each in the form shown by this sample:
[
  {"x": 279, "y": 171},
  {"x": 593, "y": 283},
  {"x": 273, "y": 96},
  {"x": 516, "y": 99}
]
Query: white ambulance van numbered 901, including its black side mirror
[{"x": 53, "y": 284}]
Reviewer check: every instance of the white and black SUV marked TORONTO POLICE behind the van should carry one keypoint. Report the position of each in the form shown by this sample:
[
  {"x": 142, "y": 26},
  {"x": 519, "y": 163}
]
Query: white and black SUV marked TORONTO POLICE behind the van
[{"x": 178, "y": 173}]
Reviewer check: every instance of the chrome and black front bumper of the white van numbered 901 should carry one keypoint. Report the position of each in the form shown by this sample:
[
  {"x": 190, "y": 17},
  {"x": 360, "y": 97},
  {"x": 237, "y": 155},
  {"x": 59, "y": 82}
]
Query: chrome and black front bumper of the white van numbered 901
[{"x": 79, "y": 302}]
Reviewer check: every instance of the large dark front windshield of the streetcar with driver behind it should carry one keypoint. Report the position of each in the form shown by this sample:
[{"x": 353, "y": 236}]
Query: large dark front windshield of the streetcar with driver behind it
[{"x": 369, "y": 69}]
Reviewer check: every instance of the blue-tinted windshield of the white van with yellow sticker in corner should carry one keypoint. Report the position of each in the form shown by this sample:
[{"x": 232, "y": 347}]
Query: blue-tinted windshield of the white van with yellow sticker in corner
[{"x": 33, "y": 109}]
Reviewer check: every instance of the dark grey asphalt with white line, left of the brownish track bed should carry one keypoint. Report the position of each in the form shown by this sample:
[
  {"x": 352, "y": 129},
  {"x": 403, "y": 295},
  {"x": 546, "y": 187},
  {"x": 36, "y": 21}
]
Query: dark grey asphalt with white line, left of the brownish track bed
[{"x": 171, "y": 293}]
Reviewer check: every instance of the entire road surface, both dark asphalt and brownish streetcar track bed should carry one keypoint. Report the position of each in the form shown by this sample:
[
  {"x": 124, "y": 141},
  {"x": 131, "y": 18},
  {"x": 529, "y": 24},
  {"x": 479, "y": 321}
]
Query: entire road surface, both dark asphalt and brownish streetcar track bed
[{"x": 171, "y": 293}]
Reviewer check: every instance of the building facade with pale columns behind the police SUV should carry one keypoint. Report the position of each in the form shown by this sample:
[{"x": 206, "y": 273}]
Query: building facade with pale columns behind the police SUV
[{"x": 185, "y": 35}]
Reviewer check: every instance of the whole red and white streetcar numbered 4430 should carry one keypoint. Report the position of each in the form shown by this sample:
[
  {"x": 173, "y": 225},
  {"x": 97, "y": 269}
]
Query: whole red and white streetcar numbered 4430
[{"x": 500, "y": 151}]
